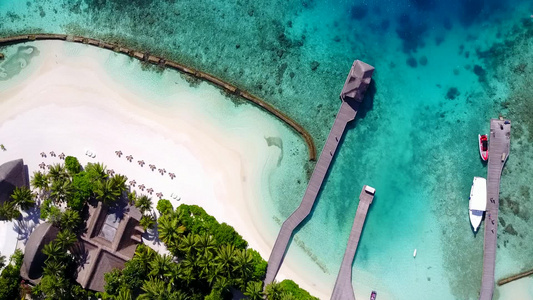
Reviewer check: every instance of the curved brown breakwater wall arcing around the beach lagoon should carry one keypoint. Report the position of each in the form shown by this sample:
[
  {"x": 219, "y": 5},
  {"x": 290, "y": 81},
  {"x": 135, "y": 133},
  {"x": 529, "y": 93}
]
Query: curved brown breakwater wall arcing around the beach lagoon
[{"x": 155, "y": 60}]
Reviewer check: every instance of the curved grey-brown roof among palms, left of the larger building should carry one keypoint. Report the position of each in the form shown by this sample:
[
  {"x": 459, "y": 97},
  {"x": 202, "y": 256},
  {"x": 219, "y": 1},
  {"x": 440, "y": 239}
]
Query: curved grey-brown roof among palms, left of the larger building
[{"x": 34, "y": 258}]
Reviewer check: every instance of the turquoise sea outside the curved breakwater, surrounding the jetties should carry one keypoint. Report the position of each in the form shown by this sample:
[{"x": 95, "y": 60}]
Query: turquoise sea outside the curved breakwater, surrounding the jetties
[{"x": 443, "y": 69}]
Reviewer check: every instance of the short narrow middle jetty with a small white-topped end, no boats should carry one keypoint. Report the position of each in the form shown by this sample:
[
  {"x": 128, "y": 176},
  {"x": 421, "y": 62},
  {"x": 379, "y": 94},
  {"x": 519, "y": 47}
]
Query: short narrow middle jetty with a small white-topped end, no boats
[{"x": 343, "y": 289}]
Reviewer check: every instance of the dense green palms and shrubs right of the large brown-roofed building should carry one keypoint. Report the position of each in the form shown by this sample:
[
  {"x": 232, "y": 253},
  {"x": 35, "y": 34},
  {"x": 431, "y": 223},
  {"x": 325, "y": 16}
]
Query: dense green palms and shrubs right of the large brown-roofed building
[{"x": 208, "y": 260}]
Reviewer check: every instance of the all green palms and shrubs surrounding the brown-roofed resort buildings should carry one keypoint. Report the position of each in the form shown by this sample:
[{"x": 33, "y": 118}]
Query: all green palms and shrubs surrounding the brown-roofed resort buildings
[{"x": 207, "y": 260}]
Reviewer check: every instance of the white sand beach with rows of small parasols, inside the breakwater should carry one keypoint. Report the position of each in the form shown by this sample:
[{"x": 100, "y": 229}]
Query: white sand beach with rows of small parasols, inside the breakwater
[{"x": 69, "y": 103}]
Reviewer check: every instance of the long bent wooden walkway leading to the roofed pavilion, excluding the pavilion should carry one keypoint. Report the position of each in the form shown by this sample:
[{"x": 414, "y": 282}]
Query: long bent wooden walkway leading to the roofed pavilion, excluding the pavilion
[{"x": 346, "y": 114}]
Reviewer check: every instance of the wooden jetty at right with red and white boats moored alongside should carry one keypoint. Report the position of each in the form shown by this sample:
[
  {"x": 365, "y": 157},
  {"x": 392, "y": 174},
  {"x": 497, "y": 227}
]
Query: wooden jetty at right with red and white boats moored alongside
[{"x": 499, "y": 147}]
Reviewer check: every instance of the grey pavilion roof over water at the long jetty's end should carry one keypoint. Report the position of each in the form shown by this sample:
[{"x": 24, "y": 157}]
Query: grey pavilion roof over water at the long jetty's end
[{"x": 357, "y": 81}]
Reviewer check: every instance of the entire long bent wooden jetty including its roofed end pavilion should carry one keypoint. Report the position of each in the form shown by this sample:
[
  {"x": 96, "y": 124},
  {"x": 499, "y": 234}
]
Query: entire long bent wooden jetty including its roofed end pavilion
[{"x": 351, "y": 96}]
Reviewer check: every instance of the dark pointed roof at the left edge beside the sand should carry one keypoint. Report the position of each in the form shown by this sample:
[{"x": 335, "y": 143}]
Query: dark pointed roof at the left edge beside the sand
[{"x": 12, "y": 174}]
